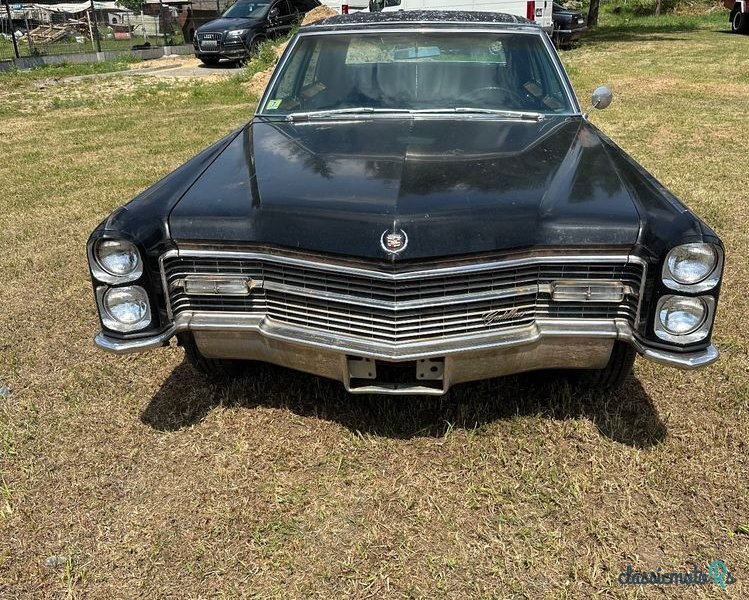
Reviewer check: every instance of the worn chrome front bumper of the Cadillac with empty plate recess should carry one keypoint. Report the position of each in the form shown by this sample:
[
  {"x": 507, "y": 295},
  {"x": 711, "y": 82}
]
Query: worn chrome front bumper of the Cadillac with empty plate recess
[{"x": 545, "y": 344}]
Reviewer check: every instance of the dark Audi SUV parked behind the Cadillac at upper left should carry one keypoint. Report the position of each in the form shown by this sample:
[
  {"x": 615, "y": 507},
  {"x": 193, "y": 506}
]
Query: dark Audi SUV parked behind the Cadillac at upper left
[{"x": 239, "y": 32}]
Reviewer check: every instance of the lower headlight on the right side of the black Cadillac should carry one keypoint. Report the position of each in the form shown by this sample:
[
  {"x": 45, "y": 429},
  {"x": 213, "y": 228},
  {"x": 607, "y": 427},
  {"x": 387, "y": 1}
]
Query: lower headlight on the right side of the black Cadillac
[{"x": 683, "y": 319}]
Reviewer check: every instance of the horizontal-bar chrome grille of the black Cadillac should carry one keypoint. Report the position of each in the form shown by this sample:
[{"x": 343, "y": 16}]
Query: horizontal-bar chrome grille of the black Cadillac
[{"x": 411, "y": 306}]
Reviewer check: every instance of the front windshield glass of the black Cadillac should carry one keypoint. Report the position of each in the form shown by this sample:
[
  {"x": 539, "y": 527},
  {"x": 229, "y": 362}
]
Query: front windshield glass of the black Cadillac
[{"x": 441, "y": 71}]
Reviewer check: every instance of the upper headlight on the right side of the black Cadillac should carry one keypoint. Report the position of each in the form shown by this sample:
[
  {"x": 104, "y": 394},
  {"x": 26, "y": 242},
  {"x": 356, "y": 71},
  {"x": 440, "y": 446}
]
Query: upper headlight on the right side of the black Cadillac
[{"x": 692, "y": 267}]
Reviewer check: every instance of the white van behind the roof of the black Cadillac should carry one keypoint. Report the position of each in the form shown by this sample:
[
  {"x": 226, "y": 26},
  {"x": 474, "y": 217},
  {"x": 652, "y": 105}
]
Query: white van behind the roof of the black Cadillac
[{"x": 538, "y": 11}]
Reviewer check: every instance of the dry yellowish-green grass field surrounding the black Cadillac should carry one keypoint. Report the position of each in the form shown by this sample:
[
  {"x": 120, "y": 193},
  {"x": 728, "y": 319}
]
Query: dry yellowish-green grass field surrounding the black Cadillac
[{"x": 151, "y": 482}]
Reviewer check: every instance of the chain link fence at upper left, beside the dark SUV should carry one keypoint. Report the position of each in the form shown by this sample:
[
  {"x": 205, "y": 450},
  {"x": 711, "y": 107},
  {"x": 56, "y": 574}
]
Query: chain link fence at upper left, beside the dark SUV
[{"x": 54, "y": 29}]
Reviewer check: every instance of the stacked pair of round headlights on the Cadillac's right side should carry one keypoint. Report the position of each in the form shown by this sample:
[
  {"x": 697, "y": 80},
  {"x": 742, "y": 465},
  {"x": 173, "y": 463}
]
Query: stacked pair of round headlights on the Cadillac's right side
[{"x": 692, "y": 269}]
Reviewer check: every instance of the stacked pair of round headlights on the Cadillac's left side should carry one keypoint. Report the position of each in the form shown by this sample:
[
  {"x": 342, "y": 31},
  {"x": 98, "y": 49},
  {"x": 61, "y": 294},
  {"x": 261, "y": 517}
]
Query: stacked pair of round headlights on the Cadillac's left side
[{"x": 123, "y": 308}]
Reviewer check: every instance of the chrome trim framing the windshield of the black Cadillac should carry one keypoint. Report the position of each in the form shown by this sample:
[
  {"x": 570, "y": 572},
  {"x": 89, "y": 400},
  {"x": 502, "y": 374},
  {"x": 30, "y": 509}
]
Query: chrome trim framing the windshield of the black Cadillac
[{"x": 450, "y": 26}]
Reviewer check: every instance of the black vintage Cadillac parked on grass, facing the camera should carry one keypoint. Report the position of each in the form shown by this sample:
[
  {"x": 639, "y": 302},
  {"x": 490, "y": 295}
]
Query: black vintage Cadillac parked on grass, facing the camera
[{"x": 418, "y": 201}]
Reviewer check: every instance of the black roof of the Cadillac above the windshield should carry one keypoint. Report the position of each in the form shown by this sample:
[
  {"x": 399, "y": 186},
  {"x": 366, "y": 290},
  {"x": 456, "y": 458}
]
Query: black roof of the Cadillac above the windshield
[{"x": 412, "y": 18}]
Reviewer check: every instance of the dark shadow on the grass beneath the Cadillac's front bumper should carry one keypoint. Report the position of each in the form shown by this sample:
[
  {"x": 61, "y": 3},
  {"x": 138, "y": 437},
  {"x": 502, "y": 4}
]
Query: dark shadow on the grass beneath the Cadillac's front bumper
[{"x": 627, "y": 415}]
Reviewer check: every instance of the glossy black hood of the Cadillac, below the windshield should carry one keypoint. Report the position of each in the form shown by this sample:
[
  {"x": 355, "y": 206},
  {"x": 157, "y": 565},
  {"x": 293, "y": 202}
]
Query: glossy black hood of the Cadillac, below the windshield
[{"x": 456, "y": 187}]
